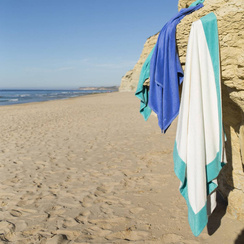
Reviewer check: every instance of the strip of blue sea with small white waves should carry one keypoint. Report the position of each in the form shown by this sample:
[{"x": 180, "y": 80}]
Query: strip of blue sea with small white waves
[{"x": 11, "y": 97}]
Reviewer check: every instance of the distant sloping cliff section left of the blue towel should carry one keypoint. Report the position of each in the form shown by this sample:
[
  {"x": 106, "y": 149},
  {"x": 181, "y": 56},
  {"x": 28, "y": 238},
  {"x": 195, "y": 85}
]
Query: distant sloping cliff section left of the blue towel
[{"x": 130, "y": 80}]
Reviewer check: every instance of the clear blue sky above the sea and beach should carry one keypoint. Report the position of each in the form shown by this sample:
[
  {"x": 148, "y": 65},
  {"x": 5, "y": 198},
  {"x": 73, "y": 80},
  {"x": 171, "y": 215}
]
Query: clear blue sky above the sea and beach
[{"x": 69, "y": 44}]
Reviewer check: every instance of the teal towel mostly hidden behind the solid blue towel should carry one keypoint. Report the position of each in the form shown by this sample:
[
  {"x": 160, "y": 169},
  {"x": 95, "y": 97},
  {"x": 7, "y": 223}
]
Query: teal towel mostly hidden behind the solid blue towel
[{"x": 142, "y": 91}]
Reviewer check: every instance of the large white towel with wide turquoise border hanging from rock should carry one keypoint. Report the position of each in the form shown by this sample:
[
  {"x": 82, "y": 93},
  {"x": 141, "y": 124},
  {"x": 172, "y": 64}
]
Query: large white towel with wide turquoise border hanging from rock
[{"x": 198, "y": 150}]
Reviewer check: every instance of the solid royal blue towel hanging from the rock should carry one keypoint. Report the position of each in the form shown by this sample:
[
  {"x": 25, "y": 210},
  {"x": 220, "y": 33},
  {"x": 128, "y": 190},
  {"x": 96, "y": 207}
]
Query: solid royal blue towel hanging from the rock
[{"x": 166, "y": 73}]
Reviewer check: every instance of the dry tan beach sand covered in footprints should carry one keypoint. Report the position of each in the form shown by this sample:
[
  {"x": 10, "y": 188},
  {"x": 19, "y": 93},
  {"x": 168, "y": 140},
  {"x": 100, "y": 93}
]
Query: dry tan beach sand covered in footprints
[{"x": 91, "y": 170}]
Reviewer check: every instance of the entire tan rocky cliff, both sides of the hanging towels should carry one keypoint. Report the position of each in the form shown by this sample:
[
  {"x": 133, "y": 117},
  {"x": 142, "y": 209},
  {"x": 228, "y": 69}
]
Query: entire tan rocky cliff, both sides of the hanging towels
[{"x": 230, "y": 15}]
